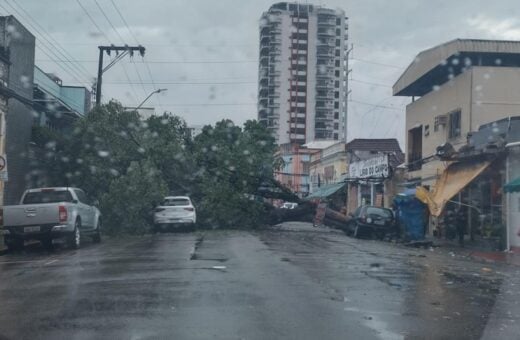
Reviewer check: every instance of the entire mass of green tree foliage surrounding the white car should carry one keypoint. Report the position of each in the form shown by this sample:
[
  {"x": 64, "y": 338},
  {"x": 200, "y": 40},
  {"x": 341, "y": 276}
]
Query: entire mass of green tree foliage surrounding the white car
[{"x": 130, "y": 164}]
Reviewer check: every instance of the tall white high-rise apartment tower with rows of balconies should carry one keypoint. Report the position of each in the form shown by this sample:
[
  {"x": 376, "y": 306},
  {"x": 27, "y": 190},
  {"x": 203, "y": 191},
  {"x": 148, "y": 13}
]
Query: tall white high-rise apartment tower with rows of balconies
[{"x": 303, "y": 73}]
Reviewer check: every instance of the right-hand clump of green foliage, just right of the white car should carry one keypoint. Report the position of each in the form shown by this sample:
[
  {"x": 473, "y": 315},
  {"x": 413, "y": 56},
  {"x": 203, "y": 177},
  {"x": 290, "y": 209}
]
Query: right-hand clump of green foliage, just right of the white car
[{"x": 232, "y": 164}]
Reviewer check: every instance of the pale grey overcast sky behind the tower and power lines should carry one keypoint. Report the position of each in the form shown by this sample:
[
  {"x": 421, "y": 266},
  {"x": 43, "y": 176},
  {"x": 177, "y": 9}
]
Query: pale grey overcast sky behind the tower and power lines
[{"x": 205, "y": 51}]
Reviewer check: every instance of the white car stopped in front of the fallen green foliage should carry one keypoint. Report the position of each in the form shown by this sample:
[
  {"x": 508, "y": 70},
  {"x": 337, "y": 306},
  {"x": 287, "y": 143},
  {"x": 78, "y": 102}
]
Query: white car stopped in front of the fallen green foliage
[{"x": 176, "y": 211}]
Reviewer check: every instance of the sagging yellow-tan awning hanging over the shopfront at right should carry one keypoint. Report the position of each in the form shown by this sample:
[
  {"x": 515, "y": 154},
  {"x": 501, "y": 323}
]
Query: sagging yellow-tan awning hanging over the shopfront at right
[{"x": 453, "y": 180}]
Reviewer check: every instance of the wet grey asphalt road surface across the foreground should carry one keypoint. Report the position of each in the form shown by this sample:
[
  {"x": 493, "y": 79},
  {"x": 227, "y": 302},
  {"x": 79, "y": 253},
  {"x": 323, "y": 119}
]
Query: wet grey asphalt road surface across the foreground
[{"x": 295, "y": 282}]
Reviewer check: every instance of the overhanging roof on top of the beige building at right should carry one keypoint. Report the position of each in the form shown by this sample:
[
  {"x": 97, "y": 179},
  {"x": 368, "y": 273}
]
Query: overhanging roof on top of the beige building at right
[{"x": 437, "y": 65}]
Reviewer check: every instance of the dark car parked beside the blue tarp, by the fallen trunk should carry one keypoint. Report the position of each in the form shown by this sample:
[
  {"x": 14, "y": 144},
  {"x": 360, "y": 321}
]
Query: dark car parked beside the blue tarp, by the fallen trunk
[{"x": 371, "y": 221}]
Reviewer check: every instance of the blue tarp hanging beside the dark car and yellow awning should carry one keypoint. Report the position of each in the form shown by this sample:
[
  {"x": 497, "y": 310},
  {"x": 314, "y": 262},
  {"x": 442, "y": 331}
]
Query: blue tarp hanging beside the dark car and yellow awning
[{"x": 411, "y": 215}]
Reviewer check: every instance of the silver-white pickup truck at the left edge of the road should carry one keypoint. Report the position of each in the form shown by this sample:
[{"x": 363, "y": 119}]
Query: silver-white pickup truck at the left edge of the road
[{"x": 48, "y": 213}]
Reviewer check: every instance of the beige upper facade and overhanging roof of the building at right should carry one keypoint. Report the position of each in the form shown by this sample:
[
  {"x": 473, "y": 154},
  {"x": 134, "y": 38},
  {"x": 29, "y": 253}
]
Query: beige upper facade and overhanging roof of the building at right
[{"x": 455, "y": 88}]
